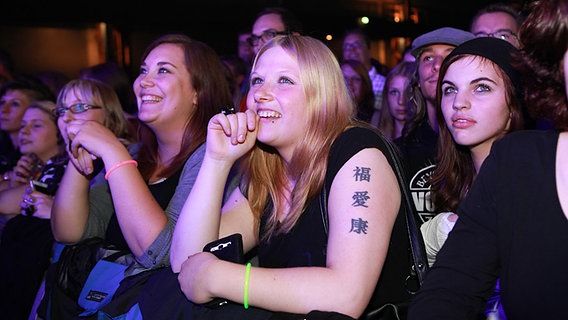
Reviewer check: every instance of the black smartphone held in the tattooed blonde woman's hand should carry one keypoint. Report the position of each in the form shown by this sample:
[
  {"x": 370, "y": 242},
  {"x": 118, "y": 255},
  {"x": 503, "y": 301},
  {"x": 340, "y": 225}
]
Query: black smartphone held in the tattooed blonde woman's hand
[{"x": 229, "y": 248}]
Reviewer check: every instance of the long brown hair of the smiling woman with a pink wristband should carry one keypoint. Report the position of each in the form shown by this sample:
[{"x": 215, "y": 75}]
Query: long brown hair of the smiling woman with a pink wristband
[{"x": 208, "y": 79}]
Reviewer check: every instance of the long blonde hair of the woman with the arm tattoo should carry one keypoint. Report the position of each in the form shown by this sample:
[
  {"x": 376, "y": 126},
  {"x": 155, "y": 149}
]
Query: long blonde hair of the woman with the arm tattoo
[{"x": 330, "y": 111}]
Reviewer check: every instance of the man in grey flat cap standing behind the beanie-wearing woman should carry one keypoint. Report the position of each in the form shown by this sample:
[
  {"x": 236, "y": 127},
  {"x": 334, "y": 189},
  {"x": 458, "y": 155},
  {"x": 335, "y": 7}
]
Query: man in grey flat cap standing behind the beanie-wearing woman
[{"x": 419, "y": 137}]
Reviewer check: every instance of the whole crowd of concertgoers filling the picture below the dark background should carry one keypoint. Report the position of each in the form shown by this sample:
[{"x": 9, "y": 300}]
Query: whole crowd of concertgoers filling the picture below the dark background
[{"x": 200, "y": 146}]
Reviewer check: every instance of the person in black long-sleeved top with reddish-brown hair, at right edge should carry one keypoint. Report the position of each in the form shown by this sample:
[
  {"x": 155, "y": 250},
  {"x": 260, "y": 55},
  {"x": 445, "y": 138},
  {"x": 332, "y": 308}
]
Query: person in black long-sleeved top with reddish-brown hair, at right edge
[{"x": 512, "y": 224}]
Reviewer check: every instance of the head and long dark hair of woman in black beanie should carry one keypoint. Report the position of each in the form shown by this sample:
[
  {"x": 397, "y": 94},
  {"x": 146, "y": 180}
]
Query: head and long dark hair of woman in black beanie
[{"x": 470, "y": 121}]
